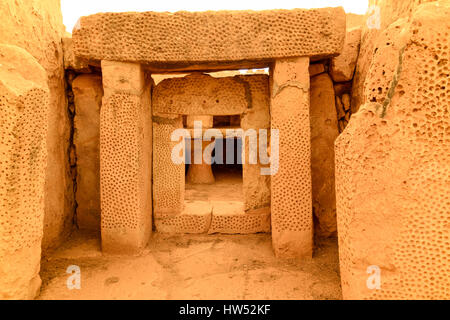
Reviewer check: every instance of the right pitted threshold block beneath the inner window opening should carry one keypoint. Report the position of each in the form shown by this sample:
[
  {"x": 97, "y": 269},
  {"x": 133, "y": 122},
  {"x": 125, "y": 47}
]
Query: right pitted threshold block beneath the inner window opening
[{"x": 230, "y": 218}]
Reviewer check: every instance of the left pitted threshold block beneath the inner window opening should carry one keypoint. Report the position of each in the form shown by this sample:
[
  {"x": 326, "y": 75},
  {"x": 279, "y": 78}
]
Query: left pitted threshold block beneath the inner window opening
[{"x": 194, "y": 219}]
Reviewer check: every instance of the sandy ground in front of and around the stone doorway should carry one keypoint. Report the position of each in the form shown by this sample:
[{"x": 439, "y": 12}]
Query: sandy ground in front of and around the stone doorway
[{"x": 191, "y": 267}]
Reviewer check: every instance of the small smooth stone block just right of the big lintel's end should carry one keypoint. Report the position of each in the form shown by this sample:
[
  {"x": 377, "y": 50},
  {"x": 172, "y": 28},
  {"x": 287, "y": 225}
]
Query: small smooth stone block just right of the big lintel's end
[{"x": 342, "y": 67}]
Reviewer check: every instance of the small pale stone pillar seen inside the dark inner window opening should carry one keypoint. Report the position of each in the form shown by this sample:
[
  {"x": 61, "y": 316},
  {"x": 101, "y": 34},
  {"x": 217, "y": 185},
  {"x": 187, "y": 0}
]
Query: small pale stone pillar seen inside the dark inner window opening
[{"x": 200, "y": 173}]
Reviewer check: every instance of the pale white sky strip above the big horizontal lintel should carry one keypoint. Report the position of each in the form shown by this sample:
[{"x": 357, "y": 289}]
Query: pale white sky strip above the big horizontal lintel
[{"x": 73, "y": 9}]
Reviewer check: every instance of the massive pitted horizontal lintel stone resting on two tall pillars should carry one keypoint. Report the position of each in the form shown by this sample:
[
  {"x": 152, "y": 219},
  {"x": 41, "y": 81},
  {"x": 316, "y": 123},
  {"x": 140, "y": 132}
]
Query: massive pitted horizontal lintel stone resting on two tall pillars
[{"x": 222, "y": 36}]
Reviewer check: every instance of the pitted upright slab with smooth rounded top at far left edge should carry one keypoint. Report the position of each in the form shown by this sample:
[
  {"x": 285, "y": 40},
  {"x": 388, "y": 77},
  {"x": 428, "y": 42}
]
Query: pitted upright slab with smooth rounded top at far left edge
[{"x": 24, "y": 107}]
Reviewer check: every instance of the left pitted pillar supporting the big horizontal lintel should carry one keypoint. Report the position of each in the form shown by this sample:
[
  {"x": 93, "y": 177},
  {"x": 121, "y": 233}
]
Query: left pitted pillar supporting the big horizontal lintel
[{"x": 125, "y": 158}]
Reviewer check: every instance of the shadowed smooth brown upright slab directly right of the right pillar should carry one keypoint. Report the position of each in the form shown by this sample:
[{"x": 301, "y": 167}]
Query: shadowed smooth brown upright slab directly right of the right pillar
[{"x": 324, "y": 131}]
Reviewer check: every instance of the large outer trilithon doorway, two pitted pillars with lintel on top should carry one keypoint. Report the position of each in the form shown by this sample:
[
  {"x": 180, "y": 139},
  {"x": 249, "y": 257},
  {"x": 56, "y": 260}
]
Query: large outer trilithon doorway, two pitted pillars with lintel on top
[{"x": 130, "y": 46}]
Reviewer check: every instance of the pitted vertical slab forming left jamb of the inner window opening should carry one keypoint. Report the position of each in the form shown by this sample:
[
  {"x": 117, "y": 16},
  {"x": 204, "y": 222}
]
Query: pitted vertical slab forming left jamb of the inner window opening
[{"x": 168, "y": 177}]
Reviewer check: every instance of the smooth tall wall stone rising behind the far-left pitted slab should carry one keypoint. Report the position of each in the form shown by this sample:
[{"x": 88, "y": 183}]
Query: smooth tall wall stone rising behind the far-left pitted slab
[{"x": 37, "y": 27}]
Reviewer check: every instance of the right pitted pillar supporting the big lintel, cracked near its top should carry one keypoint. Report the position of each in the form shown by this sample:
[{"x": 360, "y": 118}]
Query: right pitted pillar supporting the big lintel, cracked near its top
[{"x": 291, "y": 202}]
